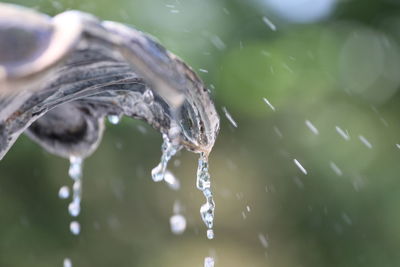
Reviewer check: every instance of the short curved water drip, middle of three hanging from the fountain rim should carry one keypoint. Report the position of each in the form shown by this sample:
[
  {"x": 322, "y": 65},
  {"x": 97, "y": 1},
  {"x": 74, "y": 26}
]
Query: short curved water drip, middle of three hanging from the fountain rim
[{"x": 169, "y": 149}]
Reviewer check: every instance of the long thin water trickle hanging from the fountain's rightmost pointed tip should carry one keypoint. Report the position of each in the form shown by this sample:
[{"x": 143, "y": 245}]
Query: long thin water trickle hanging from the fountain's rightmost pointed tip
[{"x": 203, "y": 183}]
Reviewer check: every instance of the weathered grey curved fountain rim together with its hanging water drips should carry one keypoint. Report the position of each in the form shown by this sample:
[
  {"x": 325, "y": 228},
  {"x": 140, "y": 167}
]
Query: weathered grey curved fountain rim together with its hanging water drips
[{"x": 61, "y": 77}]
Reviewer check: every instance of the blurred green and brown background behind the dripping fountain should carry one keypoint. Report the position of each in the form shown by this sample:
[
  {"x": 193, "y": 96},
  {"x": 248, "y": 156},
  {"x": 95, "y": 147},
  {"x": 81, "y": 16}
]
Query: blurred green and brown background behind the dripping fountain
[{"x": 333, "y": 63}]
